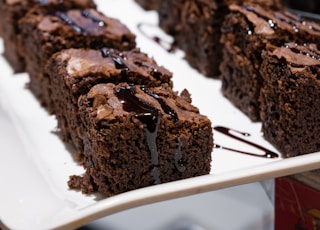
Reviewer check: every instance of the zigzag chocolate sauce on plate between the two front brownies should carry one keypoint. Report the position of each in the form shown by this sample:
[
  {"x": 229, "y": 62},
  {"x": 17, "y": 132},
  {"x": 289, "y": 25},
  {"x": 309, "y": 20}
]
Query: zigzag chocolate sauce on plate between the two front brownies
[{"x": 226, "y": 131}]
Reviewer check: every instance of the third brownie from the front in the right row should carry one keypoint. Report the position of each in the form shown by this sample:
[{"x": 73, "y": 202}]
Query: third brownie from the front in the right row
[{"x": 195, "y": 26}]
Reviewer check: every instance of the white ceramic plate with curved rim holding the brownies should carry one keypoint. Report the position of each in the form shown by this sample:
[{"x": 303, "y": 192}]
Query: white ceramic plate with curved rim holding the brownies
[{"x": 35, "y": 165}]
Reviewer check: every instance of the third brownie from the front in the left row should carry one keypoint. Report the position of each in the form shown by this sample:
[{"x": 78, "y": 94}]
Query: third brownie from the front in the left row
[{"x": 46, "y": 34}]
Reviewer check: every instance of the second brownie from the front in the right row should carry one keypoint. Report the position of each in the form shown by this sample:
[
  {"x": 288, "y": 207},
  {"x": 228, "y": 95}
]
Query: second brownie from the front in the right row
[{"x": 245, "y": 33}]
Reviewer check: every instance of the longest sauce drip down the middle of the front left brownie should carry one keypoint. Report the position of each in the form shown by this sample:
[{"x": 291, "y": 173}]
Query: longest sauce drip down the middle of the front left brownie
[{"x": 150, "y": 118}]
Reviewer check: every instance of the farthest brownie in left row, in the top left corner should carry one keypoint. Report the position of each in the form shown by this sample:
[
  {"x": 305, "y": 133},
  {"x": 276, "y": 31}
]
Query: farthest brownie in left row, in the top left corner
[{"x": 11, "y": 11}]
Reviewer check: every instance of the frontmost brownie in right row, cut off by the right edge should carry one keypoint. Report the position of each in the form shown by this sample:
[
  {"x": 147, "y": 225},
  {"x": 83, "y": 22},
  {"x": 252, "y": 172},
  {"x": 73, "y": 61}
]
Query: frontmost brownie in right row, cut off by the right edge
[{"x": 290, "y": 98}]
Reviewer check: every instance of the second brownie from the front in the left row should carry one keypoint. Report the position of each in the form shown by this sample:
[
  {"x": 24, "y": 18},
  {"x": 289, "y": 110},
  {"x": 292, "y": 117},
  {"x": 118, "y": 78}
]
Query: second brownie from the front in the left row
[{"x": 73, "y": 72}]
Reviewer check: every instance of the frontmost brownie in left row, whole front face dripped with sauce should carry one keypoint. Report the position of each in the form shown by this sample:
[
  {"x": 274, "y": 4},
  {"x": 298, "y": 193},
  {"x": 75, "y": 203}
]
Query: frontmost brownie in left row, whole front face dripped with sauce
[{"x": 136, "y": 137}]
